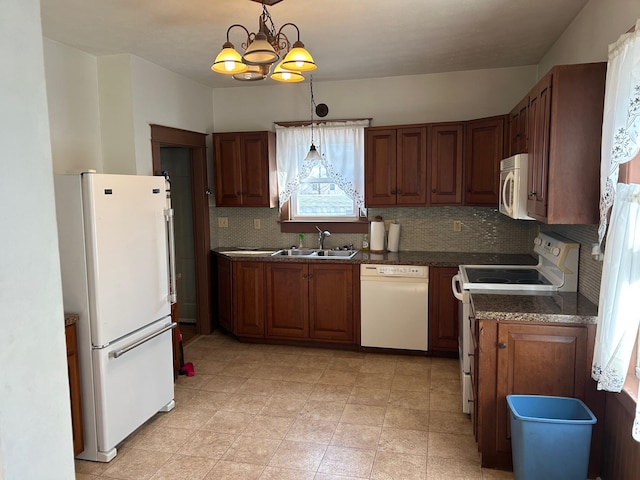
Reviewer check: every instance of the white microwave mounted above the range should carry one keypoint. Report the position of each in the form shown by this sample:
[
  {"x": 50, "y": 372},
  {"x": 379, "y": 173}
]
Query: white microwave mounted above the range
[{"x": 513, "y": 187}]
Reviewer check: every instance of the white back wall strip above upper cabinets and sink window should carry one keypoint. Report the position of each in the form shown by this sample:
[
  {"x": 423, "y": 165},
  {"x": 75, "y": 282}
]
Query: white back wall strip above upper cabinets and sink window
[{"x": 388, "y": 101}]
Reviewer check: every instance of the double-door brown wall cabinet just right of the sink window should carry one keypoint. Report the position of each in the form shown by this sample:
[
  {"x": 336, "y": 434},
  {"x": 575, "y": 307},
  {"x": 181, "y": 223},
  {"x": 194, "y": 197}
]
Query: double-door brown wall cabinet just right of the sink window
[{"x": 395, "y": 166}]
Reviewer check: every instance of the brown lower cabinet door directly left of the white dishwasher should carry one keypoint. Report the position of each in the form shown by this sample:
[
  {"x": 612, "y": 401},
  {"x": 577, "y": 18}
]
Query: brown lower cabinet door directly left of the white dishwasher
[{"x": 331, "y": 302}]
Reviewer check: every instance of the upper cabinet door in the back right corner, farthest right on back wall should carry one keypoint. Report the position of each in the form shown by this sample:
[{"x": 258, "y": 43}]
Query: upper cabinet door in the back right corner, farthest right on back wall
[{"x": 484, "y": 143}]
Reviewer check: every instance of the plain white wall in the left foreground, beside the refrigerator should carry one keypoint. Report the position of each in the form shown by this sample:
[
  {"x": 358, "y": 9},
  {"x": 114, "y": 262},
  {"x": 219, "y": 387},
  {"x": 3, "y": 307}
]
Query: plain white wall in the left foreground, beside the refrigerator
[{"x": 35, "y": 418}]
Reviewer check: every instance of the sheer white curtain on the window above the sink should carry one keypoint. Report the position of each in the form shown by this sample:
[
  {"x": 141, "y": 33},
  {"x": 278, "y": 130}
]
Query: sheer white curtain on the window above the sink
[{"x": 341, "y": 146}]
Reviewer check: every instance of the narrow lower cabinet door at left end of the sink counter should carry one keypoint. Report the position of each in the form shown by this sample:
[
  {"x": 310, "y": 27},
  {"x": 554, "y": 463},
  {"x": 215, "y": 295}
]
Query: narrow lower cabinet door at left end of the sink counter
[{"x": 248, "y": 298}]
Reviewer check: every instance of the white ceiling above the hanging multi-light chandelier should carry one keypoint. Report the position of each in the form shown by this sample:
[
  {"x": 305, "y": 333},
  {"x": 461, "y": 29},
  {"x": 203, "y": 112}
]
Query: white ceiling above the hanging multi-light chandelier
[{"x": 348, "y": 39}]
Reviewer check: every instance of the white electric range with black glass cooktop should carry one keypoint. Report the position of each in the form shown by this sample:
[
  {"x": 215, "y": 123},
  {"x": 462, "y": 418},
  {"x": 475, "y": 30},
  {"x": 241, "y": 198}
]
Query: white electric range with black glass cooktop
[{"x": 557, "y": 270}]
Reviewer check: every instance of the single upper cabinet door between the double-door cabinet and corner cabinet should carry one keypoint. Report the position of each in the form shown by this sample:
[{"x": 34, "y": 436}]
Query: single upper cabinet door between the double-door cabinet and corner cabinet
[{"x": 446, "y": 164}]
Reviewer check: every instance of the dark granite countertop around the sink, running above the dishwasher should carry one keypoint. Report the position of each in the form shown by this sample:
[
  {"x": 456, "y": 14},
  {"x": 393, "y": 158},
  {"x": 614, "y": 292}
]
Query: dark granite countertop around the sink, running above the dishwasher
[{"x": 432, "y": 259}]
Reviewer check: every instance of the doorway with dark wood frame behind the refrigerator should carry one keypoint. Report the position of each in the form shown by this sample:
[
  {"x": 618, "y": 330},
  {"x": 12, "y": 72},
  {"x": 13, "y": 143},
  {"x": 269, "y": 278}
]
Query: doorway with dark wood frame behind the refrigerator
[{"x": 183, "y": 154}]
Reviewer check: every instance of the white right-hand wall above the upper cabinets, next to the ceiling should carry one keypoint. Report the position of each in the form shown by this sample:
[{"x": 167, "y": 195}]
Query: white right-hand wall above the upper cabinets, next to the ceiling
[{"x": 586, "y": 40}]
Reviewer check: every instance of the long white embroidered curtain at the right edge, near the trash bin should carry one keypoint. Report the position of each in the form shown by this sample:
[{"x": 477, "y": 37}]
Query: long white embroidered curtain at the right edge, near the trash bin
[{"x": 618, "y": 314}]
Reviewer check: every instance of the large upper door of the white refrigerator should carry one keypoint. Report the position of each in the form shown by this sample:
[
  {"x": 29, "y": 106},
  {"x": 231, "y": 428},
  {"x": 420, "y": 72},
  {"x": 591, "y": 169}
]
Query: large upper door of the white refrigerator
[{"x": 127, "y": 253}]
